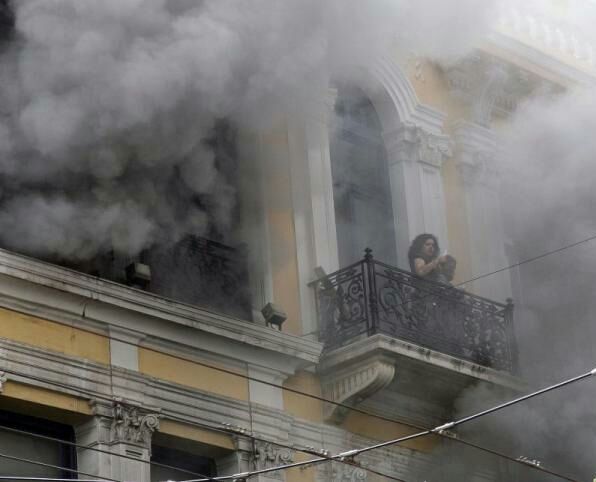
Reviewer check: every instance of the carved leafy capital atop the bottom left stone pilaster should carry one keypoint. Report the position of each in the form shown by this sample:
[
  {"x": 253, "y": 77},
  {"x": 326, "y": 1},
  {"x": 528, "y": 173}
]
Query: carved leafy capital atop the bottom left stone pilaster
[{"x": 128, "y": 423}]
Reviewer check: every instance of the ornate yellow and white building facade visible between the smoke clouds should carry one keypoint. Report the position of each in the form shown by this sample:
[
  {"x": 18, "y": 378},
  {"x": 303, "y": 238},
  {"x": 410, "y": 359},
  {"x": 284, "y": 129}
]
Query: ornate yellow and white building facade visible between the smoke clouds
[{"x": 144, "y": 380}]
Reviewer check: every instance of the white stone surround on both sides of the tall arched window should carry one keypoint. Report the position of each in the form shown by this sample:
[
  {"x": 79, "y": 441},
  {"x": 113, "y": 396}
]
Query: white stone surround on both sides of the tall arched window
[{"x": 416, "y": 148}]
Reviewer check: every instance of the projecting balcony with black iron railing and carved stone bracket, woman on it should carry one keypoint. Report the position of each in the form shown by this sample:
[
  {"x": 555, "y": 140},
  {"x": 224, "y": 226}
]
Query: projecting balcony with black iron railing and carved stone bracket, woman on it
[{"x": 377, "y": 320}]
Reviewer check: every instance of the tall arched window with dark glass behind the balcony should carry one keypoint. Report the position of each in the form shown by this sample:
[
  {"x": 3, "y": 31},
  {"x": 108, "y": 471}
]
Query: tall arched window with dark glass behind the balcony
[{"x": 361, "y": 190}]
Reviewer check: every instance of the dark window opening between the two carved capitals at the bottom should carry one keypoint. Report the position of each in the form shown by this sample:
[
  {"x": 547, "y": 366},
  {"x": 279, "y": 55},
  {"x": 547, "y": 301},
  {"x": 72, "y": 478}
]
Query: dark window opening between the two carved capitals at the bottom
[{"x": 180, "y": 459}]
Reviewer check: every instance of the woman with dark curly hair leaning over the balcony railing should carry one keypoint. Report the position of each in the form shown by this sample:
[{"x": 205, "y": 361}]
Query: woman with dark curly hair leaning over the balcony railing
[{"x": 425, "y": 260}]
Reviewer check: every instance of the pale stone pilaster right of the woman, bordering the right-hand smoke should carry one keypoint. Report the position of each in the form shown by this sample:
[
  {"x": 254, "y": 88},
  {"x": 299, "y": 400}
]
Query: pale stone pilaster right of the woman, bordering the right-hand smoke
[{"x": 476, "y": 149}]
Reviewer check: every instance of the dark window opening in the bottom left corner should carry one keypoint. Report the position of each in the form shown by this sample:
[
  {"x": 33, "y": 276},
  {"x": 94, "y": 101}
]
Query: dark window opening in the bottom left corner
[{"x": 33, "y": 448}]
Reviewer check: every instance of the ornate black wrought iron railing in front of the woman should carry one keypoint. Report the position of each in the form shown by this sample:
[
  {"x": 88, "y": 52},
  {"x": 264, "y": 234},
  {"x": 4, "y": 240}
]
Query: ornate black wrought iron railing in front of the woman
[{"x": 371, "y": 297}]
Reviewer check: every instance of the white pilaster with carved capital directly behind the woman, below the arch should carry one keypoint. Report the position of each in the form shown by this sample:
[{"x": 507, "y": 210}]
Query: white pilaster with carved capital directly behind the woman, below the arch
[{"x": 415, "y": 156}]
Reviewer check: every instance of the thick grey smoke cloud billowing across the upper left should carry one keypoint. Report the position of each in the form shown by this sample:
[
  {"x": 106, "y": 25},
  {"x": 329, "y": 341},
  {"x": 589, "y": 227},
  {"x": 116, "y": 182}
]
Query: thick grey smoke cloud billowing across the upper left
[{"x": 109, "y": 107}]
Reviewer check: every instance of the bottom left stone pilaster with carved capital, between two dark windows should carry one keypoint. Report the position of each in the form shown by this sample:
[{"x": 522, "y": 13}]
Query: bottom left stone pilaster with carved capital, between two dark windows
[{"x": 122, "y": 429}]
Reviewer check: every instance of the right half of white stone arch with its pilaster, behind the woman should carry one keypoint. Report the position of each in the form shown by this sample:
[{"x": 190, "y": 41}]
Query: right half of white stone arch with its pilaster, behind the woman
[{"x": 416, "y": 148}]
